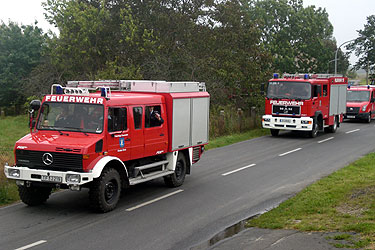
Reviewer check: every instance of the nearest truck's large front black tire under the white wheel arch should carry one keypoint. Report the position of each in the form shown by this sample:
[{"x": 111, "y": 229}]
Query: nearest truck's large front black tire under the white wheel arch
[{"x": 105, "y": 191}]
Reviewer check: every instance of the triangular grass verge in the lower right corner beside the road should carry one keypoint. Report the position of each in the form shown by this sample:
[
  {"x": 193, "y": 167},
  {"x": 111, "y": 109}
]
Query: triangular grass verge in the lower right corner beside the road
[{"x": 341, "y": 202}]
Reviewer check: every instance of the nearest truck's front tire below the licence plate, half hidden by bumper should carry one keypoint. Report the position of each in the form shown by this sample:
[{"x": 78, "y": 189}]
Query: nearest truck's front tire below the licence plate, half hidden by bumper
[{"x": 34, "y": 196}]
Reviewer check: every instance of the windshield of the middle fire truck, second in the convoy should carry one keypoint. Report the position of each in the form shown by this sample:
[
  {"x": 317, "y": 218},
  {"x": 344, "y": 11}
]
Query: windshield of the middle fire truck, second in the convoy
[{"x": 289, "y": 90}]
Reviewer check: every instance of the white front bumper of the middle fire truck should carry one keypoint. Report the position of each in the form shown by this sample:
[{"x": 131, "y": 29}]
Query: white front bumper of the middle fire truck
[{"x": 287, "y": 123}]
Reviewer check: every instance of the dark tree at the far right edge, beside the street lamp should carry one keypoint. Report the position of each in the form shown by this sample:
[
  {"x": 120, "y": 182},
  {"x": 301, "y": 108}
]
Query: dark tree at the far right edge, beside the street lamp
[{"x": 364, "y": 46}]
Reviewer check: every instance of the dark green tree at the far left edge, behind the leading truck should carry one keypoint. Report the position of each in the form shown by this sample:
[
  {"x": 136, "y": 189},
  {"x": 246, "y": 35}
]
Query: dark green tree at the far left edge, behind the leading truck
[{"x": 20, "y": 52}]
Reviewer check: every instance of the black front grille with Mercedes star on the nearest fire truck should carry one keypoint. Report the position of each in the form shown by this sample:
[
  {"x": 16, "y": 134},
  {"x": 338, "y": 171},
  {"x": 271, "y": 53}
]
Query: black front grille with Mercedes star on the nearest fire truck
[{"x": 61, "y": 161}]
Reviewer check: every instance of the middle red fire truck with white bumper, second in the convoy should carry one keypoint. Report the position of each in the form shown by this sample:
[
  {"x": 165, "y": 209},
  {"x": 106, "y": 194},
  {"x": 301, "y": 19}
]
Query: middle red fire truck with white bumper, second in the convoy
[{"x": 305, "y": 102}]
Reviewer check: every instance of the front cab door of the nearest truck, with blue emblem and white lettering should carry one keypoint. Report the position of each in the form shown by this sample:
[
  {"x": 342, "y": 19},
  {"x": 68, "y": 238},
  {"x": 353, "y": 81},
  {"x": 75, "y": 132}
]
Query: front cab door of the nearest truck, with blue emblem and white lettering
[{"x": 118, "y": 133}]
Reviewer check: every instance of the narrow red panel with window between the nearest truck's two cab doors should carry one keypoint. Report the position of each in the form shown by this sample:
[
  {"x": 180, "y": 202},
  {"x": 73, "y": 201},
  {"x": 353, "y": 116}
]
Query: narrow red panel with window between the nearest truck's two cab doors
[{"x": 137, "y": 143}]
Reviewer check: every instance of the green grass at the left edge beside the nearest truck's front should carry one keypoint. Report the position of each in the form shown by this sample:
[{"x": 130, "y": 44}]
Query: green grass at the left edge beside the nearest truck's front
[{"x": 11, "y": 129}]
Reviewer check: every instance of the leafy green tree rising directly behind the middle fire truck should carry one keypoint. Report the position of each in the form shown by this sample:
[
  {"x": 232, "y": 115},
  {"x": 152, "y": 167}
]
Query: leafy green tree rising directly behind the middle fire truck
[{"x": 296, "y": 36}]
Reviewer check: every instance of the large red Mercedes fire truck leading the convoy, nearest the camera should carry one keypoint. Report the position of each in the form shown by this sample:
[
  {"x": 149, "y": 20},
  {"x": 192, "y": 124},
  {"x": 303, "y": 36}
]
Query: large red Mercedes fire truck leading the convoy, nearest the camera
[{"x": 107, "y": 135}]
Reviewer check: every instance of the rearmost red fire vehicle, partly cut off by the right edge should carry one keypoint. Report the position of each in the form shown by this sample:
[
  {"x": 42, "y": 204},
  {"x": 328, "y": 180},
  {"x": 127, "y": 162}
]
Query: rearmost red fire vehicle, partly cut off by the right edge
[{"x": 360, "y": 103}]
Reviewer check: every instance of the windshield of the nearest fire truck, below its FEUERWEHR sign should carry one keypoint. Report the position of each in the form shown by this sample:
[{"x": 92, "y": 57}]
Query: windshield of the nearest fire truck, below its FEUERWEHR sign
[{"x": 87, "y": 118}]
